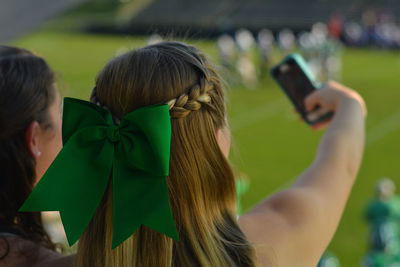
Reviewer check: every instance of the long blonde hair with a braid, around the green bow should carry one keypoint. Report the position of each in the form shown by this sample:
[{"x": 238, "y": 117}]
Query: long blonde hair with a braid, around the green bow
[{"x": 201, "y": 183}]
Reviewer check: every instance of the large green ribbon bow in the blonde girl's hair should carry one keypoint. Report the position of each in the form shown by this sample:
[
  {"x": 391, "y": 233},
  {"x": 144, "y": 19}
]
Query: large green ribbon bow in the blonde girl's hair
[{"x": 135, "y": 154}]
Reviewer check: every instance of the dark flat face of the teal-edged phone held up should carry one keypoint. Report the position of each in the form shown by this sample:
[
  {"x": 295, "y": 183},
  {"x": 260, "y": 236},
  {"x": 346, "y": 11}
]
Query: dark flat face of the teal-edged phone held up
[{"x": 295, "y": 82}]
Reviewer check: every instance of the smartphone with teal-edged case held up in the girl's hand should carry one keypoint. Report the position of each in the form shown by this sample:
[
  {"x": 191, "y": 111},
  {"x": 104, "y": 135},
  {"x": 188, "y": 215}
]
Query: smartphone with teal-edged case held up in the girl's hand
[{"x": 297, "y": 81}]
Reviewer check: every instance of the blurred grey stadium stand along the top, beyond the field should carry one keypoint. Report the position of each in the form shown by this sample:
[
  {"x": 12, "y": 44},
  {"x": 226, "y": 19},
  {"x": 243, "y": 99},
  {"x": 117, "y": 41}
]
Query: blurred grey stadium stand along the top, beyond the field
[{"x": 225, "y": 15}]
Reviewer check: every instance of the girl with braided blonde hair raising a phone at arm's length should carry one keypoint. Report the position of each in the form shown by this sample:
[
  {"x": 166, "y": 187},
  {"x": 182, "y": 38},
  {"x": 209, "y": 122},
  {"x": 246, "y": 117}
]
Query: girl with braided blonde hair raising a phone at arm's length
[{"x": 289, "y": 228}]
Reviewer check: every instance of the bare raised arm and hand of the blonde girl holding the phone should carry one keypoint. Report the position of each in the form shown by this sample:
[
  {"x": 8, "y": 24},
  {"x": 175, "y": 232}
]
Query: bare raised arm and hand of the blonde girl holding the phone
[{"x": 294, "y": 227}]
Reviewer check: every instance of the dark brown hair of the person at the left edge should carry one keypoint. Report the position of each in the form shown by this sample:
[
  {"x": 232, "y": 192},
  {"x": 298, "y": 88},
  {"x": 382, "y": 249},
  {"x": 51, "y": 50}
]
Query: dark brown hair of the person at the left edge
[{"x": 26, "y": 92}]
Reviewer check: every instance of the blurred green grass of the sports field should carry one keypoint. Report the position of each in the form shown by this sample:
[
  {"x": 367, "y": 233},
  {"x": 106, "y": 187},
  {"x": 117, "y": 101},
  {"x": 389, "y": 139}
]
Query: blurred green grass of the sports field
[{"x": 271, "y": 145}]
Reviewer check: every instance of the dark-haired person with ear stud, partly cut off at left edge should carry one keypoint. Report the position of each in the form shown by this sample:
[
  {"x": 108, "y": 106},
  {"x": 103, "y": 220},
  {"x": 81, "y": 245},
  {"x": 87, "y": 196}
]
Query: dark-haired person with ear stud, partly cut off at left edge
[{"x": 30, "y": 138}]
